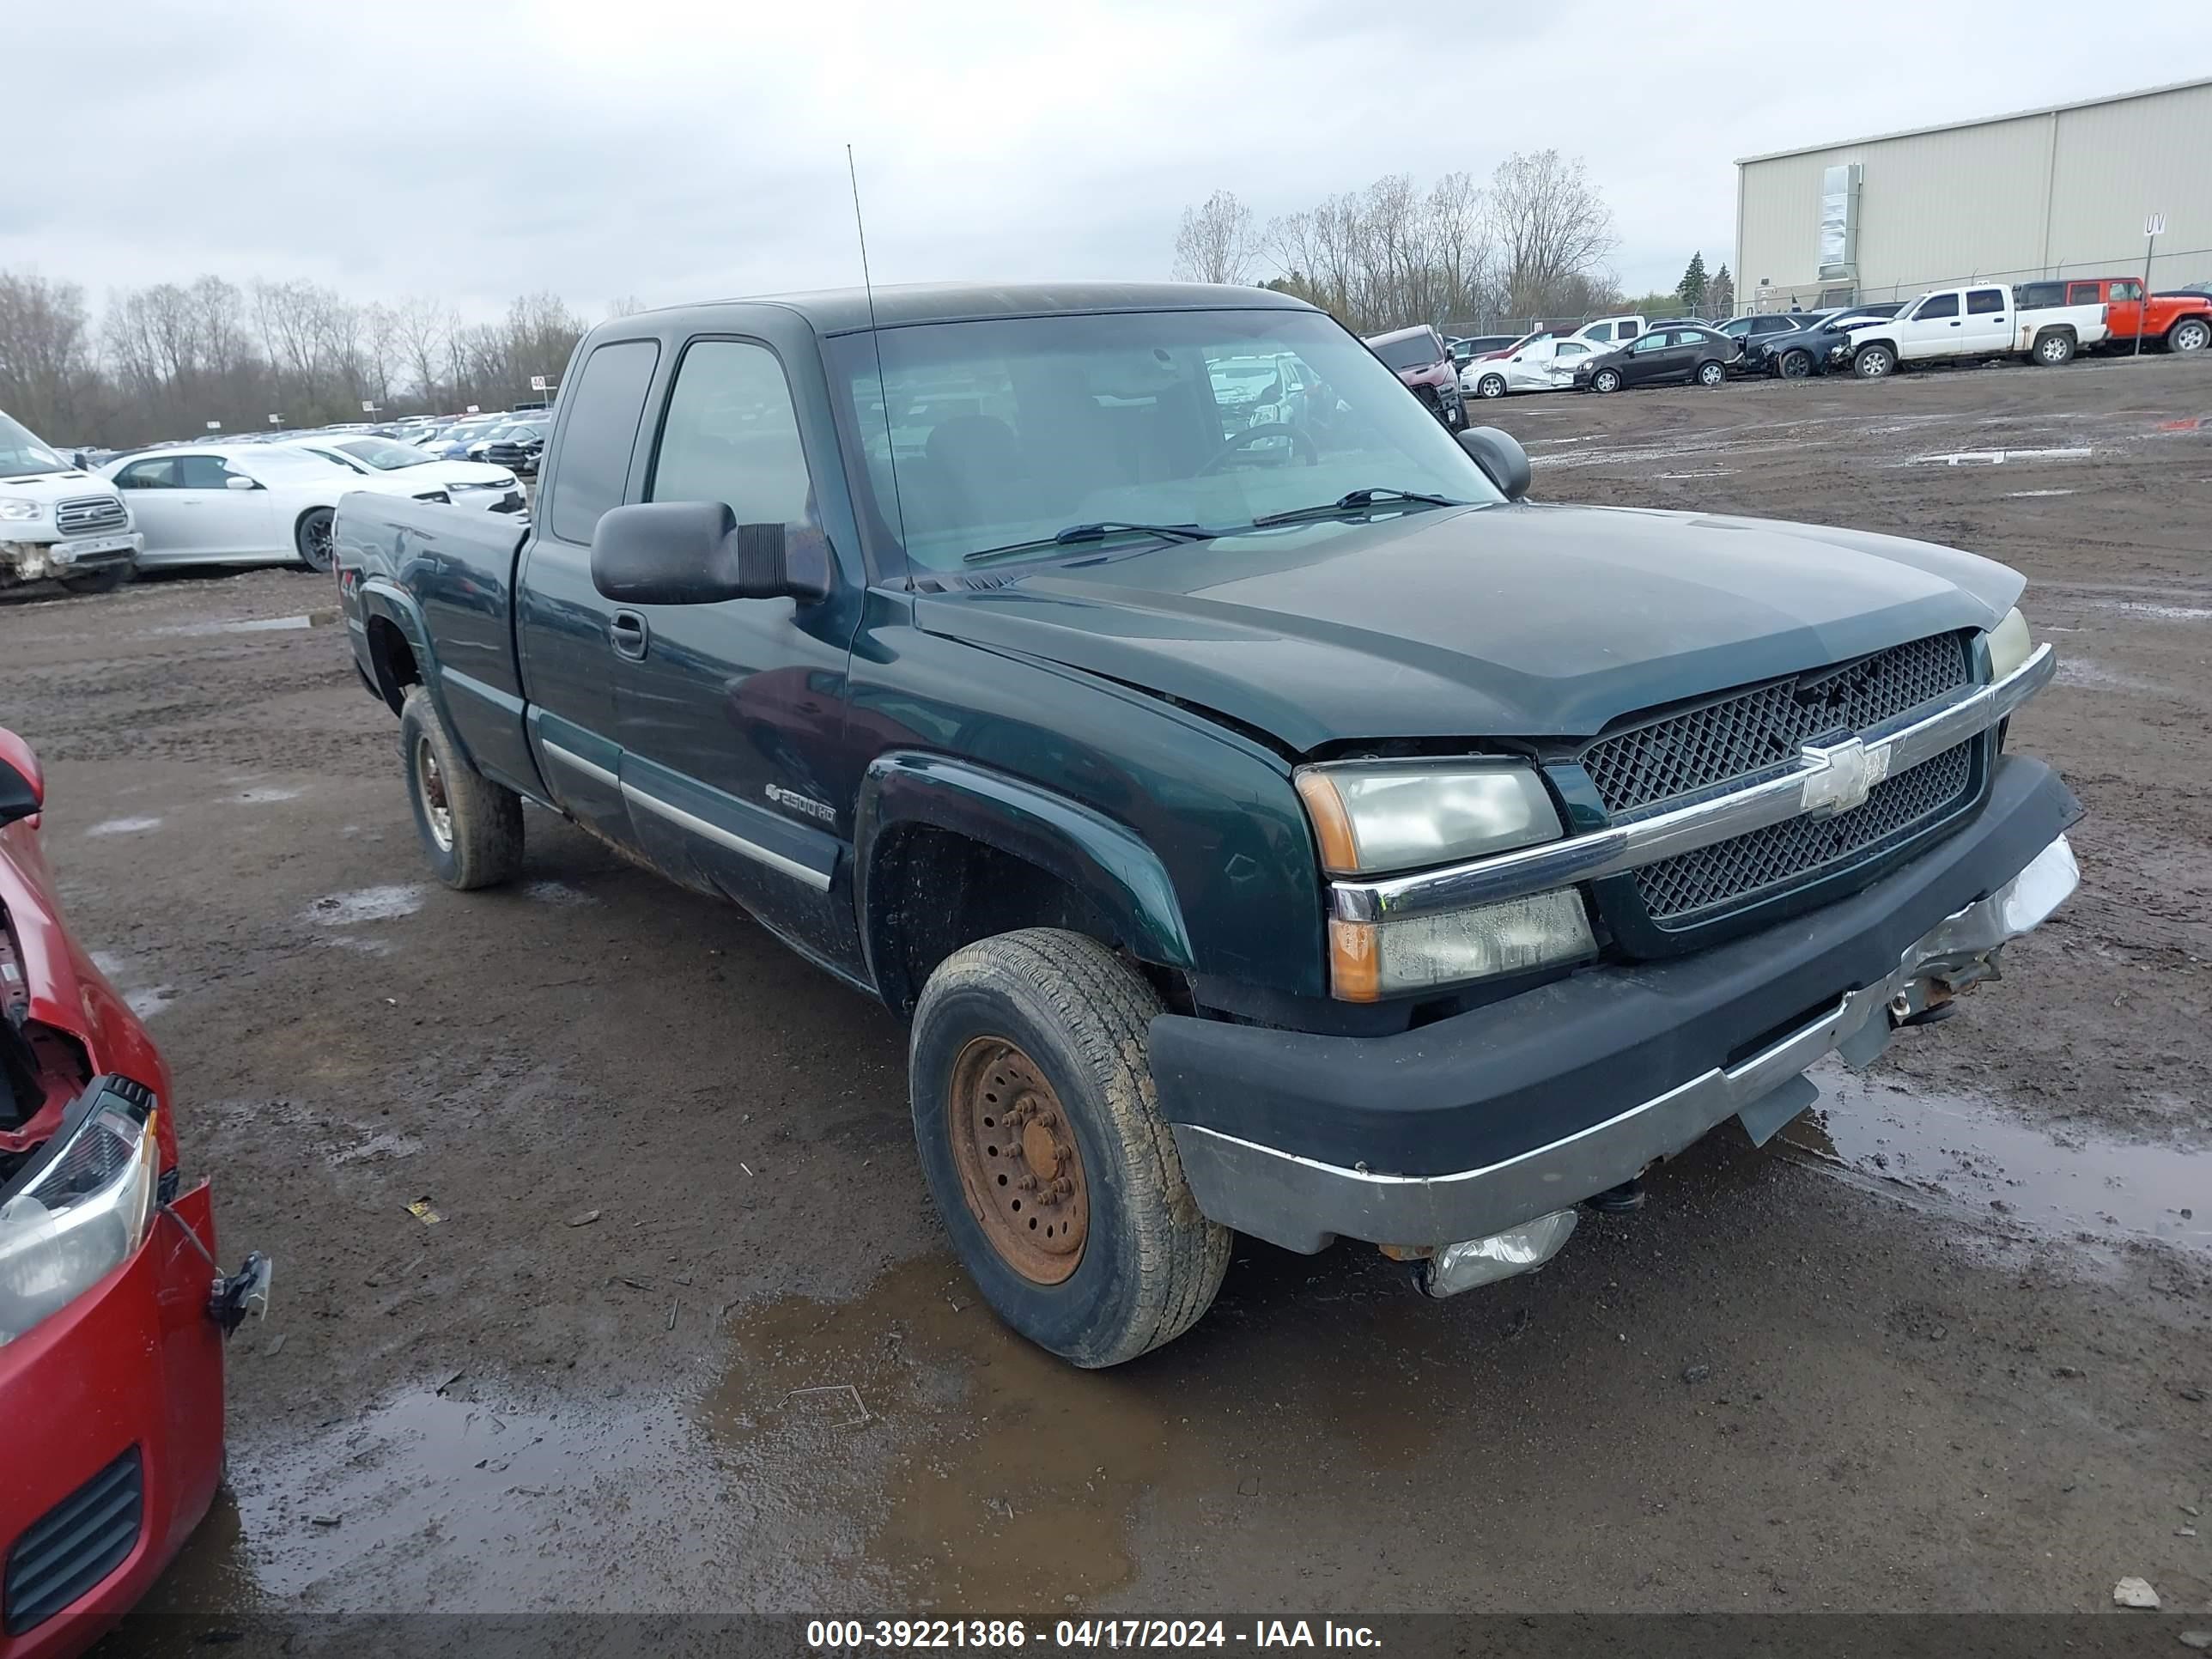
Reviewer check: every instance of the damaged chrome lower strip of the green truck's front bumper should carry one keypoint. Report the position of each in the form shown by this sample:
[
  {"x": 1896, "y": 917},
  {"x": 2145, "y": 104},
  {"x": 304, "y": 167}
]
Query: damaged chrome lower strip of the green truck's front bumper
[{"x": 1306, "y": 1204}]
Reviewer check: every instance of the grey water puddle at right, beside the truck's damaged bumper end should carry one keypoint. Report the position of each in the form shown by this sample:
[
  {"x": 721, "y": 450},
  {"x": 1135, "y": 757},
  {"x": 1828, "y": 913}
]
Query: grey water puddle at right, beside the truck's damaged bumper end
[{"x": 1976, "y": 1156}]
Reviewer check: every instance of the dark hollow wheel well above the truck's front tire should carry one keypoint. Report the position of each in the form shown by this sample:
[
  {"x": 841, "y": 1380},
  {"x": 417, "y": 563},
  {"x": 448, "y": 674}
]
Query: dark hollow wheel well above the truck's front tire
[{"x": 935, "y": 890}]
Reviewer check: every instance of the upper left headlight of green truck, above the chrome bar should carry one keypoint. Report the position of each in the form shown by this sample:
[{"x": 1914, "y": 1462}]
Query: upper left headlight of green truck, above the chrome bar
[{"x": 1373, "y": 817}]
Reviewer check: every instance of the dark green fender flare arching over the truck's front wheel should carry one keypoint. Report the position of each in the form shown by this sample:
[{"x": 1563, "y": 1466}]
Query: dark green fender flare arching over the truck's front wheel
[{"x": 1103, "y": 859}]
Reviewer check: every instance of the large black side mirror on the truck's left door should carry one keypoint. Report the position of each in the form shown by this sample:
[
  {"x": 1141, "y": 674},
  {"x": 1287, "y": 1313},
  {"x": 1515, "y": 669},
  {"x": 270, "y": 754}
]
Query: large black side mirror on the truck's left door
[{"x": 696, "y": 554}]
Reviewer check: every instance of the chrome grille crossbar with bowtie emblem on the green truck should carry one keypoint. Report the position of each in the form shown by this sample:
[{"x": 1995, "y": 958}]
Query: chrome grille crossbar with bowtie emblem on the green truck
[{"x": 1822, "y": 782}]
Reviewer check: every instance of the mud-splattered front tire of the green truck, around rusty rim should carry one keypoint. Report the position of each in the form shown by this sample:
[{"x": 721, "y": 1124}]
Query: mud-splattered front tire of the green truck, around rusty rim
[{"x": 1149, "y": 1262}]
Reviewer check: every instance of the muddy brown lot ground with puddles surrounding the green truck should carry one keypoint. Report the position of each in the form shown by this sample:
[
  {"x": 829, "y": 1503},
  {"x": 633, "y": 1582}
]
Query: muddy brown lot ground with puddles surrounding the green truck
[{"x": 687, "y": 1335}]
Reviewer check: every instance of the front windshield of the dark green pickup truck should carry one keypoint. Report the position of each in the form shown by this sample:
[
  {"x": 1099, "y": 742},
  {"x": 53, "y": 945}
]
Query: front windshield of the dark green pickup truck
[{"x": 1016, "y": 430}]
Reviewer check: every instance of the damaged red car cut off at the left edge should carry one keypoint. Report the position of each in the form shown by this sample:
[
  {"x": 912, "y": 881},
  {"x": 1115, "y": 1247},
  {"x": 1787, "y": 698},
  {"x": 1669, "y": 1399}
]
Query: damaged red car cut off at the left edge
[{"x": 112, "y": 1304}]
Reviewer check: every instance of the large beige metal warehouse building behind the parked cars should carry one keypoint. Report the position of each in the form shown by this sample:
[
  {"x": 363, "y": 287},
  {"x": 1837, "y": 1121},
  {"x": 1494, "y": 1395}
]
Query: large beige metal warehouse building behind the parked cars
[{"x": 2043, "y": 194}]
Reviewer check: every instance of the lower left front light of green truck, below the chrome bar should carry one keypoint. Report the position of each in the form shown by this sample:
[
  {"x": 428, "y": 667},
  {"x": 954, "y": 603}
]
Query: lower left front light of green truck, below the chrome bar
[{"x": 1373, "y": 961}]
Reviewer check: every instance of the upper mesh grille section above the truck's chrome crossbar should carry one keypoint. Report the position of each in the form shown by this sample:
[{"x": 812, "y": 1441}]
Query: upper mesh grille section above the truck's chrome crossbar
[{"x": 1766, "y": 727}]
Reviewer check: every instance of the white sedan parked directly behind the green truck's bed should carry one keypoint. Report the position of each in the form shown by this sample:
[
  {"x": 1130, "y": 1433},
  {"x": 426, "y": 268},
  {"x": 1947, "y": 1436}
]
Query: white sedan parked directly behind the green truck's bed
[{"x": 242, "y": 503}]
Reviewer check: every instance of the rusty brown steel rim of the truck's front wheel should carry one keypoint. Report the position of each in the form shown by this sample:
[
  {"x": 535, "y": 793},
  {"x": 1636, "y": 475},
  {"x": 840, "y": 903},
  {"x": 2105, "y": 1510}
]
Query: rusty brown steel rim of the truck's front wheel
[{"x": 1021, "y": 1169}]
